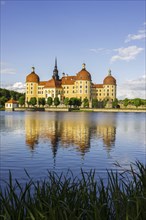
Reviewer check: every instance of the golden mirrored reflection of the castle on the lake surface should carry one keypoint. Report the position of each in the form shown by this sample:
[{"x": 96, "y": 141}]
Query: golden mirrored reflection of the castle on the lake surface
[{"x": 66, "y": 130}]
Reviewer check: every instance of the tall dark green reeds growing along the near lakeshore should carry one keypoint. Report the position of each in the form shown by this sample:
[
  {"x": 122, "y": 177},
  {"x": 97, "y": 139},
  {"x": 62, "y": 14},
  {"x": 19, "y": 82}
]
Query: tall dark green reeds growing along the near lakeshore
[{"x": 65, "y": 197}]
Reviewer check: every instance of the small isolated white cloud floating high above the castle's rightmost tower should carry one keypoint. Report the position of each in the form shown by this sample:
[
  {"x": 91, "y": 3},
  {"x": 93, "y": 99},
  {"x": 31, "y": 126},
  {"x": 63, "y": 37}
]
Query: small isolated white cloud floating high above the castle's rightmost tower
[{"x": 127, "y": 53}]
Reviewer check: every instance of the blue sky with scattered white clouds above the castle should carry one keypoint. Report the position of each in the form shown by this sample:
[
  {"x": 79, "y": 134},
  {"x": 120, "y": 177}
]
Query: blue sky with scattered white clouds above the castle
[{"x": 102, "y": 34}]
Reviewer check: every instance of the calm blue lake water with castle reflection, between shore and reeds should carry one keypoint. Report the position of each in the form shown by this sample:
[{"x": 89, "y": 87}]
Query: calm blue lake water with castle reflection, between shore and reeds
[{"x": 41, "y": 141}]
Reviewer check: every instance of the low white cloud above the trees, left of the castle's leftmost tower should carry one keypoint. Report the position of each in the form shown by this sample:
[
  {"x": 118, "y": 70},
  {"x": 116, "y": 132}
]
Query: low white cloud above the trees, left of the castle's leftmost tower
[{"x": 17, "y": 86}]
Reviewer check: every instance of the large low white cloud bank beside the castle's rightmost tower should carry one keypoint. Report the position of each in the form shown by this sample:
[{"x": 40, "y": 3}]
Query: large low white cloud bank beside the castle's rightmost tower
[{"x": 135, "y": 88}]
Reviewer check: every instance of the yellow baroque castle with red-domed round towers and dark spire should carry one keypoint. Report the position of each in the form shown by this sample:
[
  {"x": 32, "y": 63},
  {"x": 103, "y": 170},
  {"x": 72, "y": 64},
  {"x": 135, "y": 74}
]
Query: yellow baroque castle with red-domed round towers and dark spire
[{"x": 77, "y": 86}]
